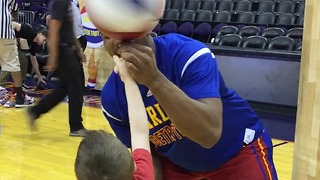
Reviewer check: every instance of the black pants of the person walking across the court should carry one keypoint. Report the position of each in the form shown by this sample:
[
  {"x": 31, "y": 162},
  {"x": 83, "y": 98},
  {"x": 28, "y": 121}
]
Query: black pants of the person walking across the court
[{"x": 70, "y": 73}]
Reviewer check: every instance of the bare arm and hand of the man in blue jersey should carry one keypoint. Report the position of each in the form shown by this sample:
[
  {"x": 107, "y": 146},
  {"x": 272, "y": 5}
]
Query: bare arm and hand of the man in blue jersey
[{"x": 199, "y": 120}]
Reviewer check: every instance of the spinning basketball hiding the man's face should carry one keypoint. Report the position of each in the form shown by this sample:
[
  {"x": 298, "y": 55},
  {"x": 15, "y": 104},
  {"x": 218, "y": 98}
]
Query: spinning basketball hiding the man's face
[{"x": 125, "y": 19}]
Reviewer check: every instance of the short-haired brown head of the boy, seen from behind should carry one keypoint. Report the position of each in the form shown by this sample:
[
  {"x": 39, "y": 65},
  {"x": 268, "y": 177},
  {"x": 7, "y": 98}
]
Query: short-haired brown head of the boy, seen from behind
[{"x": 102, "y": 156}]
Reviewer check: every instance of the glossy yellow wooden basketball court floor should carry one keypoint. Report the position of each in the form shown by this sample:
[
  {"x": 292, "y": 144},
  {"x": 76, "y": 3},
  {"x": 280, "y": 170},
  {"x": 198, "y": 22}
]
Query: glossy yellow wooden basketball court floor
[{"x": 49, "y": 152}]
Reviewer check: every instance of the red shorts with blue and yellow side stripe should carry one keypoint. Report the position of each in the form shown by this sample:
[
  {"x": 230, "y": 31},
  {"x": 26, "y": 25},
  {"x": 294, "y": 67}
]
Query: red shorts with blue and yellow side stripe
[{"x": 253, "y": 162}]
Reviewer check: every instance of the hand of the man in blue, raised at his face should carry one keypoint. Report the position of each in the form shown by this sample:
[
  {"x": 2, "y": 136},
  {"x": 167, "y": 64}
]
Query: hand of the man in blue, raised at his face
[{"x": 142, "y": 65}]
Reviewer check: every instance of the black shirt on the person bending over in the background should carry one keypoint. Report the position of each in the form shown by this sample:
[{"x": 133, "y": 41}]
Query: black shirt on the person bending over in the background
[{"x": 27, "y": 32}]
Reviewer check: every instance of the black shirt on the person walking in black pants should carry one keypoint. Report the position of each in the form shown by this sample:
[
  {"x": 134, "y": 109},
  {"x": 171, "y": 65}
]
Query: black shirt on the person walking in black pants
[{"x": 61, "y": 10}]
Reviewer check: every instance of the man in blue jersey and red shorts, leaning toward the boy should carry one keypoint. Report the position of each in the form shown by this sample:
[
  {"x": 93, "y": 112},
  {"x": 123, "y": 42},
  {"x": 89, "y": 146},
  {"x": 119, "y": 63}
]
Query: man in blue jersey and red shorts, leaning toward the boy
[{"x": 199, "y": 128}]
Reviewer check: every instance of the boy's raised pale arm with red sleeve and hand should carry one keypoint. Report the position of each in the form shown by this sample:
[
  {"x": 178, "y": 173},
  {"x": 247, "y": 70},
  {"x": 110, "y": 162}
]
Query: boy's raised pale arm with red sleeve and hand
[{"x": 138, "y": 124}]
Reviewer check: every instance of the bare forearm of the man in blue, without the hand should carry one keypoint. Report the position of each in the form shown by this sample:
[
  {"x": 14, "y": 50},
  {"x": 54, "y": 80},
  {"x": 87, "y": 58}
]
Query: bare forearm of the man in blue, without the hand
[{"x": 200, "y": 120}]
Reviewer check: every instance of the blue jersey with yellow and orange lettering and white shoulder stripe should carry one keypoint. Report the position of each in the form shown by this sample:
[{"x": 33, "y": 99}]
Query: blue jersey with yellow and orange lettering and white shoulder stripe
[{"x": 192, "y": 67}]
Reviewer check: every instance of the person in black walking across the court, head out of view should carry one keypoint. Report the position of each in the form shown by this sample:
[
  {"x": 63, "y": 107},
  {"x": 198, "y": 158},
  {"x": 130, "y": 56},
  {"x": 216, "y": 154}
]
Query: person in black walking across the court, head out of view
[{"x": 66, "y": 56}]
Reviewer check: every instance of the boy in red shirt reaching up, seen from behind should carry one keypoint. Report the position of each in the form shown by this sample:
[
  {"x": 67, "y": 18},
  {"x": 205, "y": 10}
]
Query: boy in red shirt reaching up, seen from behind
[{"x": 103, "y": 156}]
